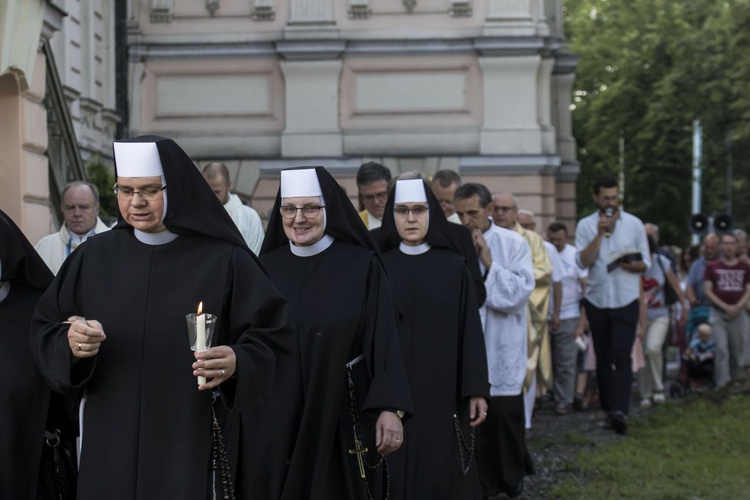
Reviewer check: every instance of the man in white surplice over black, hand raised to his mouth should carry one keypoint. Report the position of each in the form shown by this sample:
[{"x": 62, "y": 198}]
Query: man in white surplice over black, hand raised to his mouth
[{"x": 505, "y": 261}]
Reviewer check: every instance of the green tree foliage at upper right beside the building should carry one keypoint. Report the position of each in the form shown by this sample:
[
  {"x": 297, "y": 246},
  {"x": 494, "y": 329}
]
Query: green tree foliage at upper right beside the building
[{"x": 647, "y": 69}]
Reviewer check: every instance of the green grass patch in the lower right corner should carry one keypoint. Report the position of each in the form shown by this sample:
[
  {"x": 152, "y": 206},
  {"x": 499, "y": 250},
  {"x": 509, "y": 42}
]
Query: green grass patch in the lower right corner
[{"x": 688, "y": 449}]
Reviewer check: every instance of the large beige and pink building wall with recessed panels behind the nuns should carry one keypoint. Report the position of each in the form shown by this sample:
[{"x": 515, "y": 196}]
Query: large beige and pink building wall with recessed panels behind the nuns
[{"x": 481, "y": 86}]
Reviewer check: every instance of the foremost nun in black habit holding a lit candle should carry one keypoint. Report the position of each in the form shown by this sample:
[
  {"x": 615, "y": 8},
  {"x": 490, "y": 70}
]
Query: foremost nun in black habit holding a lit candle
[{"x": 146, "y": 423}]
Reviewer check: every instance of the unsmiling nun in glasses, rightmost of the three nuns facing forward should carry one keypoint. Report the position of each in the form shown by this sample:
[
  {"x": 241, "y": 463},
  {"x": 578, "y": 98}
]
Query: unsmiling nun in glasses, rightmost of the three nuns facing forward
[{"x": 443, "y": 345}]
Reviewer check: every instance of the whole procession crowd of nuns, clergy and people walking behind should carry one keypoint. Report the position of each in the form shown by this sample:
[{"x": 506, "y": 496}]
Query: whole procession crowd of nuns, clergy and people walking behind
[{"x": 395, "y": 351}]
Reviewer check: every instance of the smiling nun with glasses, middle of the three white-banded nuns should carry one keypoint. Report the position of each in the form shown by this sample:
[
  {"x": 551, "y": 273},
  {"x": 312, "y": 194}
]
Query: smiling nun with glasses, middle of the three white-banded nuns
[{"x": 320, "y": 255}]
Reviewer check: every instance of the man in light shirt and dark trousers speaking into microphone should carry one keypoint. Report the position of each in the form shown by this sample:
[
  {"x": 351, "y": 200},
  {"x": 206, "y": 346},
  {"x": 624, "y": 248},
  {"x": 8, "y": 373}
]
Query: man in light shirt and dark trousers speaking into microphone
[{"x": 612, "y": 245}]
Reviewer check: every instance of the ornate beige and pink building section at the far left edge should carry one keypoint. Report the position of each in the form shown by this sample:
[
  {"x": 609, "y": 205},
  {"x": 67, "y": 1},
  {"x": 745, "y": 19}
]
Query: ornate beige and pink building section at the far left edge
[{"x": 80, "y": 34}]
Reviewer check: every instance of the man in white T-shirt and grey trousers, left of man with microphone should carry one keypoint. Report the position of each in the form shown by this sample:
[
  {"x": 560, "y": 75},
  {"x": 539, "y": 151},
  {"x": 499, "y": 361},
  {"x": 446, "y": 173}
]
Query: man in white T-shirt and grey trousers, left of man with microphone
[{"x": 569, "y": 325}]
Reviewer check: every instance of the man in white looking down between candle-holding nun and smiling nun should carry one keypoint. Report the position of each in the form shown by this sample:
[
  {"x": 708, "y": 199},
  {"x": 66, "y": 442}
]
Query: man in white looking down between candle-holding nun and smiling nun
[{"x": 245, "y": 218}]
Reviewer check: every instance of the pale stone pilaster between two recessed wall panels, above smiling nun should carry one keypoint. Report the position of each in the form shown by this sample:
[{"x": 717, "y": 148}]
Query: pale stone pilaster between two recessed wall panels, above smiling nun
[{"x": 312, "y": 109}]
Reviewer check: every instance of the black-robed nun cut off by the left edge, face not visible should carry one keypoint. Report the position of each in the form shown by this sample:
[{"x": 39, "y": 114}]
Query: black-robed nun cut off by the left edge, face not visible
[{"x": 24, "y": 396}]
